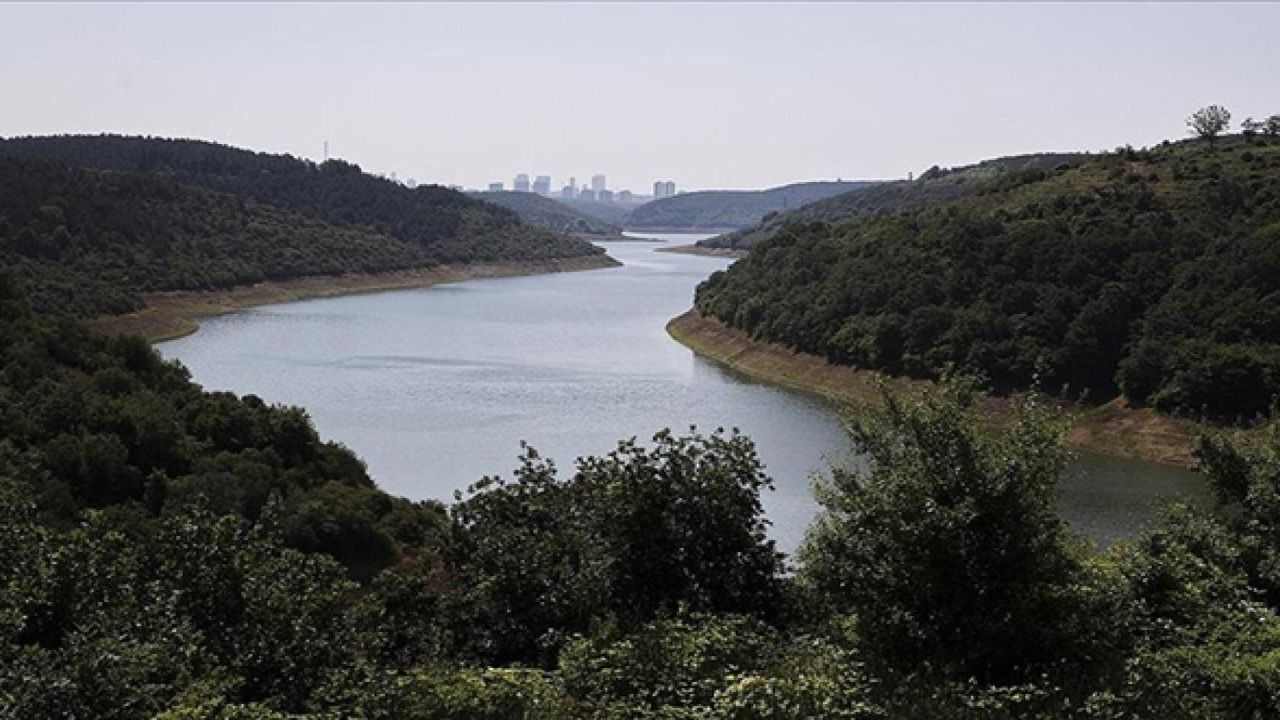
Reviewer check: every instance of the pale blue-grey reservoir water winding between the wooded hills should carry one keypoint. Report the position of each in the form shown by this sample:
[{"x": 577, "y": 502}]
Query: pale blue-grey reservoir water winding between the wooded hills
[{"x": 437, "y": 388}]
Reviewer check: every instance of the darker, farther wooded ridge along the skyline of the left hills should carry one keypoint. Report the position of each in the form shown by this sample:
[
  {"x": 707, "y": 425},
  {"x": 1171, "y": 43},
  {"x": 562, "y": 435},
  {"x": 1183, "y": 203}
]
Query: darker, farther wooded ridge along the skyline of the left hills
[{"x": 449, "y": 226}]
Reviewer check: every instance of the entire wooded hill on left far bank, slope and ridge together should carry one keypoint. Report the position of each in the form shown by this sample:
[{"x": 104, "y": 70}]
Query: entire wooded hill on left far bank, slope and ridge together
[{"x": 93, "y": 221}]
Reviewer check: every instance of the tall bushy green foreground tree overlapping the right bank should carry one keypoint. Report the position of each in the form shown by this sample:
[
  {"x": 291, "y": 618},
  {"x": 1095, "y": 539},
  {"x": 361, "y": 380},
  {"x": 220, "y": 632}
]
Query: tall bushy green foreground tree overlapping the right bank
[{"x": 949, "y": 550}]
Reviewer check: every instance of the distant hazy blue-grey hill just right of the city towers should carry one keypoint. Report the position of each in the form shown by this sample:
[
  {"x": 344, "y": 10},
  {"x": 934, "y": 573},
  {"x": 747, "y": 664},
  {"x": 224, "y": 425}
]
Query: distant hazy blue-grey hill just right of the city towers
[{"x": 732, "y": 208}]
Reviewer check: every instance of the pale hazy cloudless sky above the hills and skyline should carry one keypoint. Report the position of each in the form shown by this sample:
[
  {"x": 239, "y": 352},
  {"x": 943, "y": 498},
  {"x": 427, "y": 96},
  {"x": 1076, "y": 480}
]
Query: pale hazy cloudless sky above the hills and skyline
[{"x": 710, "y": 95}]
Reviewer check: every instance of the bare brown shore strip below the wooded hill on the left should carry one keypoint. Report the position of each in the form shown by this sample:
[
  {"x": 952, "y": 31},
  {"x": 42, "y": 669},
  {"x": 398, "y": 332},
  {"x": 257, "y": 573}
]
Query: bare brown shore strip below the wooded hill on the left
[{"x": 170, "y": 316}]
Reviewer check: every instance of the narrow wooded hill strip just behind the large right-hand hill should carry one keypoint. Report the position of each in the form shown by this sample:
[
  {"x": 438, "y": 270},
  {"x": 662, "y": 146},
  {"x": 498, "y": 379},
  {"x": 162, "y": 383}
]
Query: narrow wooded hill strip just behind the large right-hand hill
[{"x": 935, "y": 185}]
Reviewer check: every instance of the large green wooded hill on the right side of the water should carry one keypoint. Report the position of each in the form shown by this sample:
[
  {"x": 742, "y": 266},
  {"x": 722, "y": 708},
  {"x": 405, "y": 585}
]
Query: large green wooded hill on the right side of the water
[{"x": 1154, "y": 274}]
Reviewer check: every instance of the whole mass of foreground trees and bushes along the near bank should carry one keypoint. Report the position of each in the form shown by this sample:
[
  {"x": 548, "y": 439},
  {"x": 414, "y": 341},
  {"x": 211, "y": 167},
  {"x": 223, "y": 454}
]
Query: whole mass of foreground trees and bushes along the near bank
[{"x": 168, "y": 553}]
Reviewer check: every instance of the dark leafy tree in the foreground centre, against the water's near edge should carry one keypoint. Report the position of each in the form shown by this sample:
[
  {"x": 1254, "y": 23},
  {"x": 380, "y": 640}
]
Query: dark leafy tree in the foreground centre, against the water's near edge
[{"x": 636, "y": 534}]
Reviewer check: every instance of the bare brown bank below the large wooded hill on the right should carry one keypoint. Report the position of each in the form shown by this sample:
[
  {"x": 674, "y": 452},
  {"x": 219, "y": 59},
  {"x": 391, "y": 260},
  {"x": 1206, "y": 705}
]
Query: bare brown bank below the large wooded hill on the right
[{"x": 1113, "y": 429}]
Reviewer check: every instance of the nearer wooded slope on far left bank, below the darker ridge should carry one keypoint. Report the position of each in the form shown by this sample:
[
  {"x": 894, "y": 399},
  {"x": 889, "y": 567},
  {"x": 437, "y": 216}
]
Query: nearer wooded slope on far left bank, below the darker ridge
[{"x": 93, "y": 241}]
